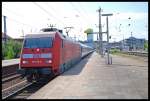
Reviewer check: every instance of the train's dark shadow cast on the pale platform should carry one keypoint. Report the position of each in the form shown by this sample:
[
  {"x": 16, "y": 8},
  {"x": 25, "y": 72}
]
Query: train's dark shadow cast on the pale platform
[{"x": 76, "y": 69}]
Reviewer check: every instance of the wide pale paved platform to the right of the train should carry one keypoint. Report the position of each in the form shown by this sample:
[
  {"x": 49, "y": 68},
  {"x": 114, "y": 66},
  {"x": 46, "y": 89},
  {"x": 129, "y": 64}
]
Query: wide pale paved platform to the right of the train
[{"x": 92, "y": 78}]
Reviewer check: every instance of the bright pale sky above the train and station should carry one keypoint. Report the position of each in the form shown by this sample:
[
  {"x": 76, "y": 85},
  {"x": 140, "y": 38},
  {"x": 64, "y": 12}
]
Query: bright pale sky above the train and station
[{"x": 27, "y": 17}]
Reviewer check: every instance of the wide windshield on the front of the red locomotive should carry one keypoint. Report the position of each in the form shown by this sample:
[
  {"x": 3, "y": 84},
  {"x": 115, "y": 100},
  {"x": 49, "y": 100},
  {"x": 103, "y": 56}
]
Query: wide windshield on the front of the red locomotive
[{"x": 43, "y": 42}]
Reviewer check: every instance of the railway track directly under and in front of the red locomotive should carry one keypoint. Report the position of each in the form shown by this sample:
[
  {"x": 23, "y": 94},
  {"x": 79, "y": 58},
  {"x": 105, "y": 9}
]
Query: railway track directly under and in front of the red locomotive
[{"x": 24, "y": 89}]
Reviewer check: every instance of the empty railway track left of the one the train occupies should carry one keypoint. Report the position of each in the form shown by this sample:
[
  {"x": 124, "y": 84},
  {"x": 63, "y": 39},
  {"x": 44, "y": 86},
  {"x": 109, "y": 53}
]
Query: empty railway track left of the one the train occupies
[{"x": 10, "y": 79}]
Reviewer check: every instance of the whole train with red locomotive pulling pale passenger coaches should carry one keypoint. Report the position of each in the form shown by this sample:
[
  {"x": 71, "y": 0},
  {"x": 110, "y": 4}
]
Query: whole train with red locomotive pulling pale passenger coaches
[{"x": 49, "y": 53}]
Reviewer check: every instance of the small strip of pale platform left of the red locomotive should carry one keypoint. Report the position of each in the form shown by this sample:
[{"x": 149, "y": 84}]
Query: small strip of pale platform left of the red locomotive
[{"x": 10, "y": 62}]
